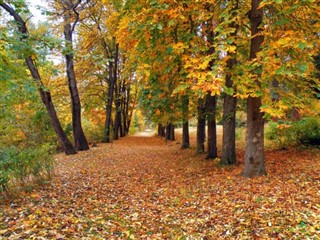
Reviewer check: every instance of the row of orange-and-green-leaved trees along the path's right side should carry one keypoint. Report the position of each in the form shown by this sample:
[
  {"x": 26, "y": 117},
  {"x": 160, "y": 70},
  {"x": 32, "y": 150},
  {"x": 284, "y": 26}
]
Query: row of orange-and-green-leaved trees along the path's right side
[{"x": 189, "y": 53}]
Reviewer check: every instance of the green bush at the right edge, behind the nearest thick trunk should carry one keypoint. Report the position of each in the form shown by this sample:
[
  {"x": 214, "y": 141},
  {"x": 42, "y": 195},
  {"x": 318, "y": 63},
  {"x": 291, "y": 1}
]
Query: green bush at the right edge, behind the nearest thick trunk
[{"x": 284, "y": 133}]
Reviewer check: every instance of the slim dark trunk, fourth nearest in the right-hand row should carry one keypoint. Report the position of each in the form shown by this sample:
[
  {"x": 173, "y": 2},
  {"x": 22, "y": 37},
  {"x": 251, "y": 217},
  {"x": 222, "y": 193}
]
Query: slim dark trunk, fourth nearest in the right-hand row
[{"x": 201, "y": 126}]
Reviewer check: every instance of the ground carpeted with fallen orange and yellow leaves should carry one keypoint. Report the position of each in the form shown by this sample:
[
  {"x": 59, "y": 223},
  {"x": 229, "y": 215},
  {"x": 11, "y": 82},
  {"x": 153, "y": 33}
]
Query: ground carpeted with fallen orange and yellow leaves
[{"x": 141, "y": 187}]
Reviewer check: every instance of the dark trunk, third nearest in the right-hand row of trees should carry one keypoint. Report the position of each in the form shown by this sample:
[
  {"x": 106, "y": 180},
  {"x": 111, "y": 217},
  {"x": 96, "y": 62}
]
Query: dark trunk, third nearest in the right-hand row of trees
[{"x": 212, "y": 126}]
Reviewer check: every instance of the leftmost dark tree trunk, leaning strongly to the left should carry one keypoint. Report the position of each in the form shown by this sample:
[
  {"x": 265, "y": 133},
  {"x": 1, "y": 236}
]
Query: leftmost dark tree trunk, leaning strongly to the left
[{"x": 45, "y": 94}]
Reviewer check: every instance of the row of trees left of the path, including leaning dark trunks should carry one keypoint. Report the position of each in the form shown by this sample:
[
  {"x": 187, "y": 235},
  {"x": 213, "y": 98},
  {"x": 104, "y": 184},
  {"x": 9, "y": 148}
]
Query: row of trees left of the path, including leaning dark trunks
[{"x": 96, "y": 66}]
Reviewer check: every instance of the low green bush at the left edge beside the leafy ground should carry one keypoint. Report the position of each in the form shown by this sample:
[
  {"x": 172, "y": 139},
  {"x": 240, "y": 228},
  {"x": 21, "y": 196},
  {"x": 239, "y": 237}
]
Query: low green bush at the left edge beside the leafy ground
[{"x": 20, "y": 167}]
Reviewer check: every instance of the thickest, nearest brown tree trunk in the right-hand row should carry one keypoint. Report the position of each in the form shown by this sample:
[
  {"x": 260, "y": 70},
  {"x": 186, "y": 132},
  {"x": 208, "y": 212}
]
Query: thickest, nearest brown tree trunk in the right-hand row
[{"x": 254, "y": 151}]
